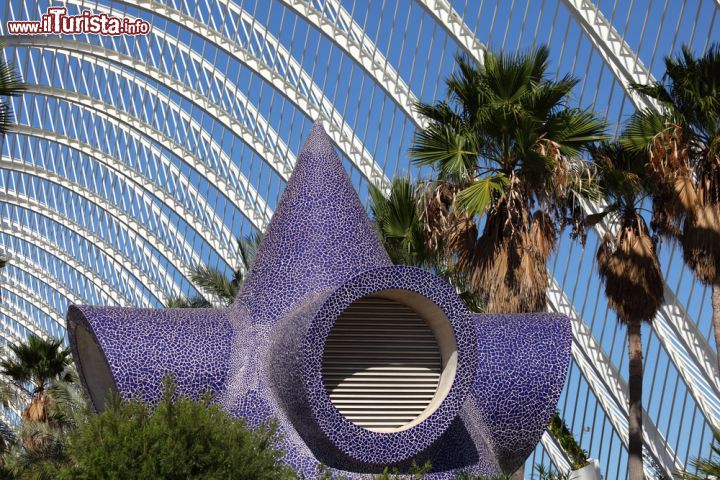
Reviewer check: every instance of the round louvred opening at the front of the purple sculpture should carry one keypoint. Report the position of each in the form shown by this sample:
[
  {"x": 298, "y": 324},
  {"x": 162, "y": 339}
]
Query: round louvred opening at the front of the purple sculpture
[{"x": 390, "y": 360}]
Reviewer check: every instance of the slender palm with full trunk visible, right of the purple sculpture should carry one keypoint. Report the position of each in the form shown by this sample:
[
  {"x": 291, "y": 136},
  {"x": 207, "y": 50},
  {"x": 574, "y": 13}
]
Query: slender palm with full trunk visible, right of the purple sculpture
[{"x": 628, "y": 265}]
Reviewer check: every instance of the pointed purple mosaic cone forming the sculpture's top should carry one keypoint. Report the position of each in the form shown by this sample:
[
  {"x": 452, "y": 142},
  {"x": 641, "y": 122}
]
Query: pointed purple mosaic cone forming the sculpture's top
[{"x": 320, "y": 234}]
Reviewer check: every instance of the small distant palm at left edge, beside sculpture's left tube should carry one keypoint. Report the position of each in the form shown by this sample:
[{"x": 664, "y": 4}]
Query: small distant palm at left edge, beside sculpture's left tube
[{"x": 34, "y": 366}]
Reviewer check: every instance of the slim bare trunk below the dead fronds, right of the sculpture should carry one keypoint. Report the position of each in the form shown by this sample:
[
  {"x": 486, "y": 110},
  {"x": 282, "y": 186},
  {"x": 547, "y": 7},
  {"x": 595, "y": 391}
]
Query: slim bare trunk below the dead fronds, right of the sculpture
[{"x": 635, "y": 465}]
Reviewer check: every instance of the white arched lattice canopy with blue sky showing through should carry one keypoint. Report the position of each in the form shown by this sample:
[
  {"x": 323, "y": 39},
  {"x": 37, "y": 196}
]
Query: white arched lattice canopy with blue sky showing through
[{"x": 138, "y": 157}]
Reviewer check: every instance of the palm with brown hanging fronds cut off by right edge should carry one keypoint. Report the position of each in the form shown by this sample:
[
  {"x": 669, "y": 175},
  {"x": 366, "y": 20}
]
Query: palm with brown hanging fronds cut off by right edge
[{"x": 682, "y": 145}]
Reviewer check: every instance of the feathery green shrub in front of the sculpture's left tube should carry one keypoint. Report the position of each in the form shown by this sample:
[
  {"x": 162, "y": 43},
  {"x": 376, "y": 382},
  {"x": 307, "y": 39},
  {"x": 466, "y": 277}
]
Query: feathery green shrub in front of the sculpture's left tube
[{"x": 178, "y": 439}]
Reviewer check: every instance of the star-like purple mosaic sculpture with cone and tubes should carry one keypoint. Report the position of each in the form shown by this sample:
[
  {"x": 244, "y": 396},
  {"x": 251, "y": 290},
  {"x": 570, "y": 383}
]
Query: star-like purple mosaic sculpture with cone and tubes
[{"x": 262, "y": 357}]
